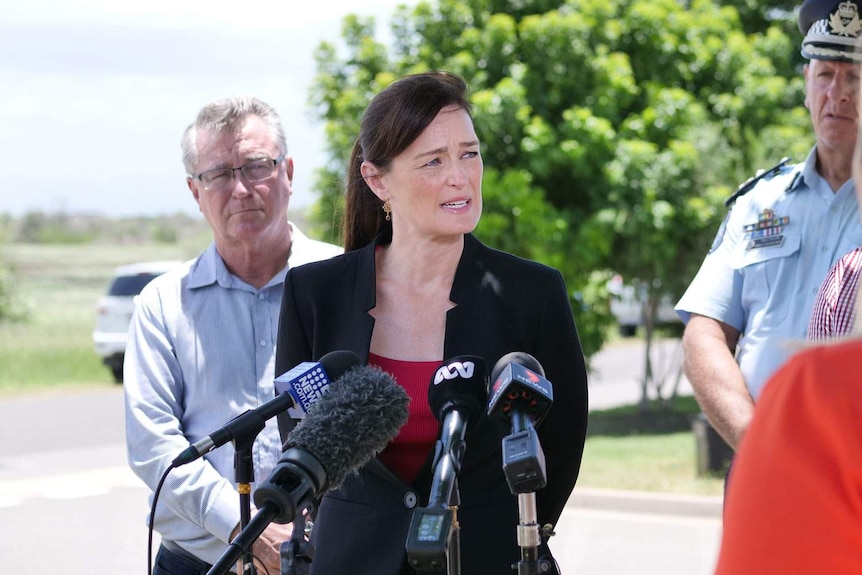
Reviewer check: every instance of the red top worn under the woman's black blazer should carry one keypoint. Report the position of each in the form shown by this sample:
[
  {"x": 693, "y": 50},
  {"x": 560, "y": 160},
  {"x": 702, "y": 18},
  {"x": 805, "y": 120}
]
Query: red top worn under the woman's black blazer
[{"x": 406, "y": 454}]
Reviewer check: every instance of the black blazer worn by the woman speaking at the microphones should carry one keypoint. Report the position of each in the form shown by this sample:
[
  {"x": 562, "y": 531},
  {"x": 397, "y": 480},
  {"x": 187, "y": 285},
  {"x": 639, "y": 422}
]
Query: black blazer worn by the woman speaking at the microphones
[{"x": 502, "y": 304}]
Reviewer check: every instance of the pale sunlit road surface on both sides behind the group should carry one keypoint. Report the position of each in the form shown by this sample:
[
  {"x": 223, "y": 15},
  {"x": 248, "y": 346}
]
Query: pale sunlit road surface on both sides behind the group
[{"x": 68, "y": 502}]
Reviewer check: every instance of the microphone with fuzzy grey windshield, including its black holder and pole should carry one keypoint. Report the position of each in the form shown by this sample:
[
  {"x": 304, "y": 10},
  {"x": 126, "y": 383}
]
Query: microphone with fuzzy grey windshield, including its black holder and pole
[{"x": 361, "y": 414}]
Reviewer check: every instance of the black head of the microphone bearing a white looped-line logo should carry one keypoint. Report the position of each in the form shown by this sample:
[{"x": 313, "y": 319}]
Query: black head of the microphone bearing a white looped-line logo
[{"x": 460, "y": 383}]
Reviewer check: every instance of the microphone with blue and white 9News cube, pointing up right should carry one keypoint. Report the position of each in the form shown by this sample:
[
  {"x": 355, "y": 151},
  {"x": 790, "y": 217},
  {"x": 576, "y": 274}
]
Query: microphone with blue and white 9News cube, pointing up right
[{"x": 299, "y": 387}]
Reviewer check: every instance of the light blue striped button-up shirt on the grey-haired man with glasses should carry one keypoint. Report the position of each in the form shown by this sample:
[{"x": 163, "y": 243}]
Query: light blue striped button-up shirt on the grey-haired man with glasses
[{"x": 201, "y": 351}]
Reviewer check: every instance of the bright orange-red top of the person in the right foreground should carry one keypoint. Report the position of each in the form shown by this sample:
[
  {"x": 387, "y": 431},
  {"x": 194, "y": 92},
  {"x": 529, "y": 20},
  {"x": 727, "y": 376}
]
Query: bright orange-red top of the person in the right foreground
[{"x": 794, "y": 499}]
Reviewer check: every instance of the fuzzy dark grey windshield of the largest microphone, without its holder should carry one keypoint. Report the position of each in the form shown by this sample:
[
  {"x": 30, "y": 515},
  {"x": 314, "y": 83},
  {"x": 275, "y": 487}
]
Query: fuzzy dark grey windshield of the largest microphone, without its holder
[{"x": 361, "y": 414}]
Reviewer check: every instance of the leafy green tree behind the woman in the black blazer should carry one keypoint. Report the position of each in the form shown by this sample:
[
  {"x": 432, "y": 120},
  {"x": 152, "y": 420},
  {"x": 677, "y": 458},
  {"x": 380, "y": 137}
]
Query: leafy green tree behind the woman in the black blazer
[{"x": 612, "y": 130}]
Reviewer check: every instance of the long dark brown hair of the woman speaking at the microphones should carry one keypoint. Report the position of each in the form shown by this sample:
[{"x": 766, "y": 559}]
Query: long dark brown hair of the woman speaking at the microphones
[{"x": 392, "y": 121}]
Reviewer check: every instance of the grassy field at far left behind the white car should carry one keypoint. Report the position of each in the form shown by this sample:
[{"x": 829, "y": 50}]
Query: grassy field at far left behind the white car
[{"x": 60, "y": 285}]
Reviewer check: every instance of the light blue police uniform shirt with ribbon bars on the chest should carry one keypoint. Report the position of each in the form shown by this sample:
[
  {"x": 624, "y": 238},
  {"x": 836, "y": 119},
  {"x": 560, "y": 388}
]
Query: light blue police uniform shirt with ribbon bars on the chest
[{"x": 766, "y": 265}]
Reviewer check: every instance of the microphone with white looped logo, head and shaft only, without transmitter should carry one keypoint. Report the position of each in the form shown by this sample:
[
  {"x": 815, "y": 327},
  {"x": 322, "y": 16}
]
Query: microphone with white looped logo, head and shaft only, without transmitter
[{"x": 457, "y": 397}]
